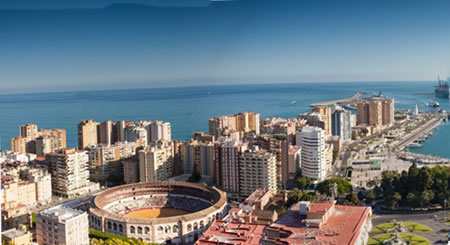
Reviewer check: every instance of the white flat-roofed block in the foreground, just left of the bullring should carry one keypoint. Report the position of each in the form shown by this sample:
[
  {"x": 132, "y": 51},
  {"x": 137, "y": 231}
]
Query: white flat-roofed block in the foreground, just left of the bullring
[{"x": 62, "y": 225}]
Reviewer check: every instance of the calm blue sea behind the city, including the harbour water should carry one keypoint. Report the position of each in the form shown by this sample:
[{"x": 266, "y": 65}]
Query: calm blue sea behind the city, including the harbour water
[{"x": 189, "y": 108}]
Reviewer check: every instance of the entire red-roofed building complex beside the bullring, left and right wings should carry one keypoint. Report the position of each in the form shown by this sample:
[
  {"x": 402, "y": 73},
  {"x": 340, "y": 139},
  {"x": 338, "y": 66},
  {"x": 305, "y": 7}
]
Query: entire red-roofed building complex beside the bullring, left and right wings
[{"x": 322, "y": 223}]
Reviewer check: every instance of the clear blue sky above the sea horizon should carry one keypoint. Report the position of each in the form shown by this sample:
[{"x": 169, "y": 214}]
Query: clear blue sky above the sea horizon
[{"x": 79, "y": 45}]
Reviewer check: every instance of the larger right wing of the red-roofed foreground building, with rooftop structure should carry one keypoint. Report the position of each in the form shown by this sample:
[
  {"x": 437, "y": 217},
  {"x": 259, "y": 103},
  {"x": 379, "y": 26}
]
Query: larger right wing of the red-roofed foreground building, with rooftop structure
[{"x": 322, "y": 223}]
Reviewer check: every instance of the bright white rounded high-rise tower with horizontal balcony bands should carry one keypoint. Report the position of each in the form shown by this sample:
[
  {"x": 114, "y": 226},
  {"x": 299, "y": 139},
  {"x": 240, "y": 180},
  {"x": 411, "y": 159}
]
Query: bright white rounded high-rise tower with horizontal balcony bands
[{"x": 312, "y": 141}]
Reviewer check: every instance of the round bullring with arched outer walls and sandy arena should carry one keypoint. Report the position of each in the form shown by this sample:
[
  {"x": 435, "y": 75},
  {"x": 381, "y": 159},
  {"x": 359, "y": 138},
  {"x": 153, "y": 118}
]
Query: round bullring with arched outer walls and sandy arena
[{"x": 158, "y": 212}]
